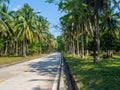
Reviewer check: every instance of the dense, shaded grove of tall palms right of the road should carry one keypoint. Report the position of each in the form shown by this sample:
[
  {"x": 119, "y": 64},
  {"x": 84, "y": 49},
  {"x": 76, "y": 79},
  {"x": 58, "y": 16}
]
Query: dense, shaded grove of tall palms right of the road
[{"x": 90, "y": 27}]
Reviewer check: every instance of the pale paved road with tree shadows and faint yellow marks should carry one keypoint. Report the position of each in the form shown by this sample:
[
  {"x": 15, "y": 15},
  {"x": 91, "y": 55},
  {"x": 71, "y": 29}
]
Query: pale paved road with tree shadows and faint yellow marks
[{"x": 38, "y": 74}]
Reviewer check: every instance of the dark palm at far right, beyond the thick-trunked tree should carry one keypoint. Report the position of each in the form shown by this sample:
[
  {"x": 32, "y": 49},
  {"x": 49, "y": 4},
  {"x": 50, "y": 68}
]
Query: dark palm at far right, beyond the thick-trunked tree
[{"x": 110, "y": 25}]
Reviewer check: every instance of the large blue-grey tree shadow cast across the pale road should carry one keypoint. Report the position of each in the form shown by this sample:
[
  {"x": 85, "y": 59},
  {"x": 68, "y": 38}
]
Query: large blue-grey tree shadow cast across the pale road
[{"x": 47, "y": 67}]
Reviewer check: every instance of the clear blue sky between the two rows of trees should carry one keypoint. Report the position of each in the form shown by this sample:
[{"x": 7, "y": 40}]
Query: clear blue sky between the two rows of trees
[{"x": 47, "y": 10}]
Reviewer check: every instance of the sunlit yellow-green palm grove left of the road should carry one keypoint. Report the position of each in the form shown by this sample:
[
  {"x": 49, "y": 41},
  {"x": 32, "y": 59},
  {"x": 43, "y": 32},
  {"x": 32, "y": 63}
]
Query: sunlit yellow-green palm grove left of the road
[{"x": 24, "y": 32}]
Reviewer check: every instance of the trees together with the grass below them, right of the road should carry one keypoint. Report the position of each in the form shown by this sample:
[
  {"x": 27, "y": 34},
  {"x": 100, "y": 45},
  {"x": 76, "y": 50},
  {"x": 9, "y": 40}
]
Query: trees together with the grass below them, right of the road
[{"x": 91, "y": 37}]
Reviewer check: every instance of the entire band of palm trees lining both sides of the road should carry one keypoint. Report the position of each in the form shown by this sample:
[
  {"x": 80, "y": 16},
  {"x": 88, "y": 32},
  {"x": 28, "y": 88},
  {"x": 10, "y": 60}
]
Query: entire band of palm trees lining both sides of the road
[{"x": 90, "y": 27}]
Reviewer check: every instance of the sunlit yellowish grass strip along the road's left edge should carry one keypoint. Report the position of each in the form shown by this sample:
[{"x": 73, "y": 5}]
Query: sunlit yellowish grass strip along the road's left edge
[{"x": 9, "y": 60}]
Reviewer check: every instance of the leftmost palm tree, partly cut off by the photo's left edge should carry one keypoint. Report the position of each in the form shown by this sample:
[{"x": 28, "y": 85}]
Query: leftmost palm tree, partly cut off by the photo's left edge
[{"x": 7, "y": 31}]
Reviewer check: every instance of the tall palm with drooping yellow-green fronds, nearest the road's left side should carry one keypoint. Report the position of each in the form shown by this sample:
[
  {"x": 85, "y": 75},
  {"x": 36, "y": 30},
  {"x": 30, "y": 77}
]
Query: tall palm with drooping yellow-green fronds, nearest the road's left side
[{"x": 25, "y": 26}]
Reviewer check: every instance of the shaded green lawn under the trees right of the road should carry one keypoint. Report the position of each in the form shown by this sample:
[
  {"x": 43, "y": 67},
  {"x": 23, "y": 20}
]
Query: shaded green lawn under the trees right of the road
[{"x": 104, "y": 75}]
